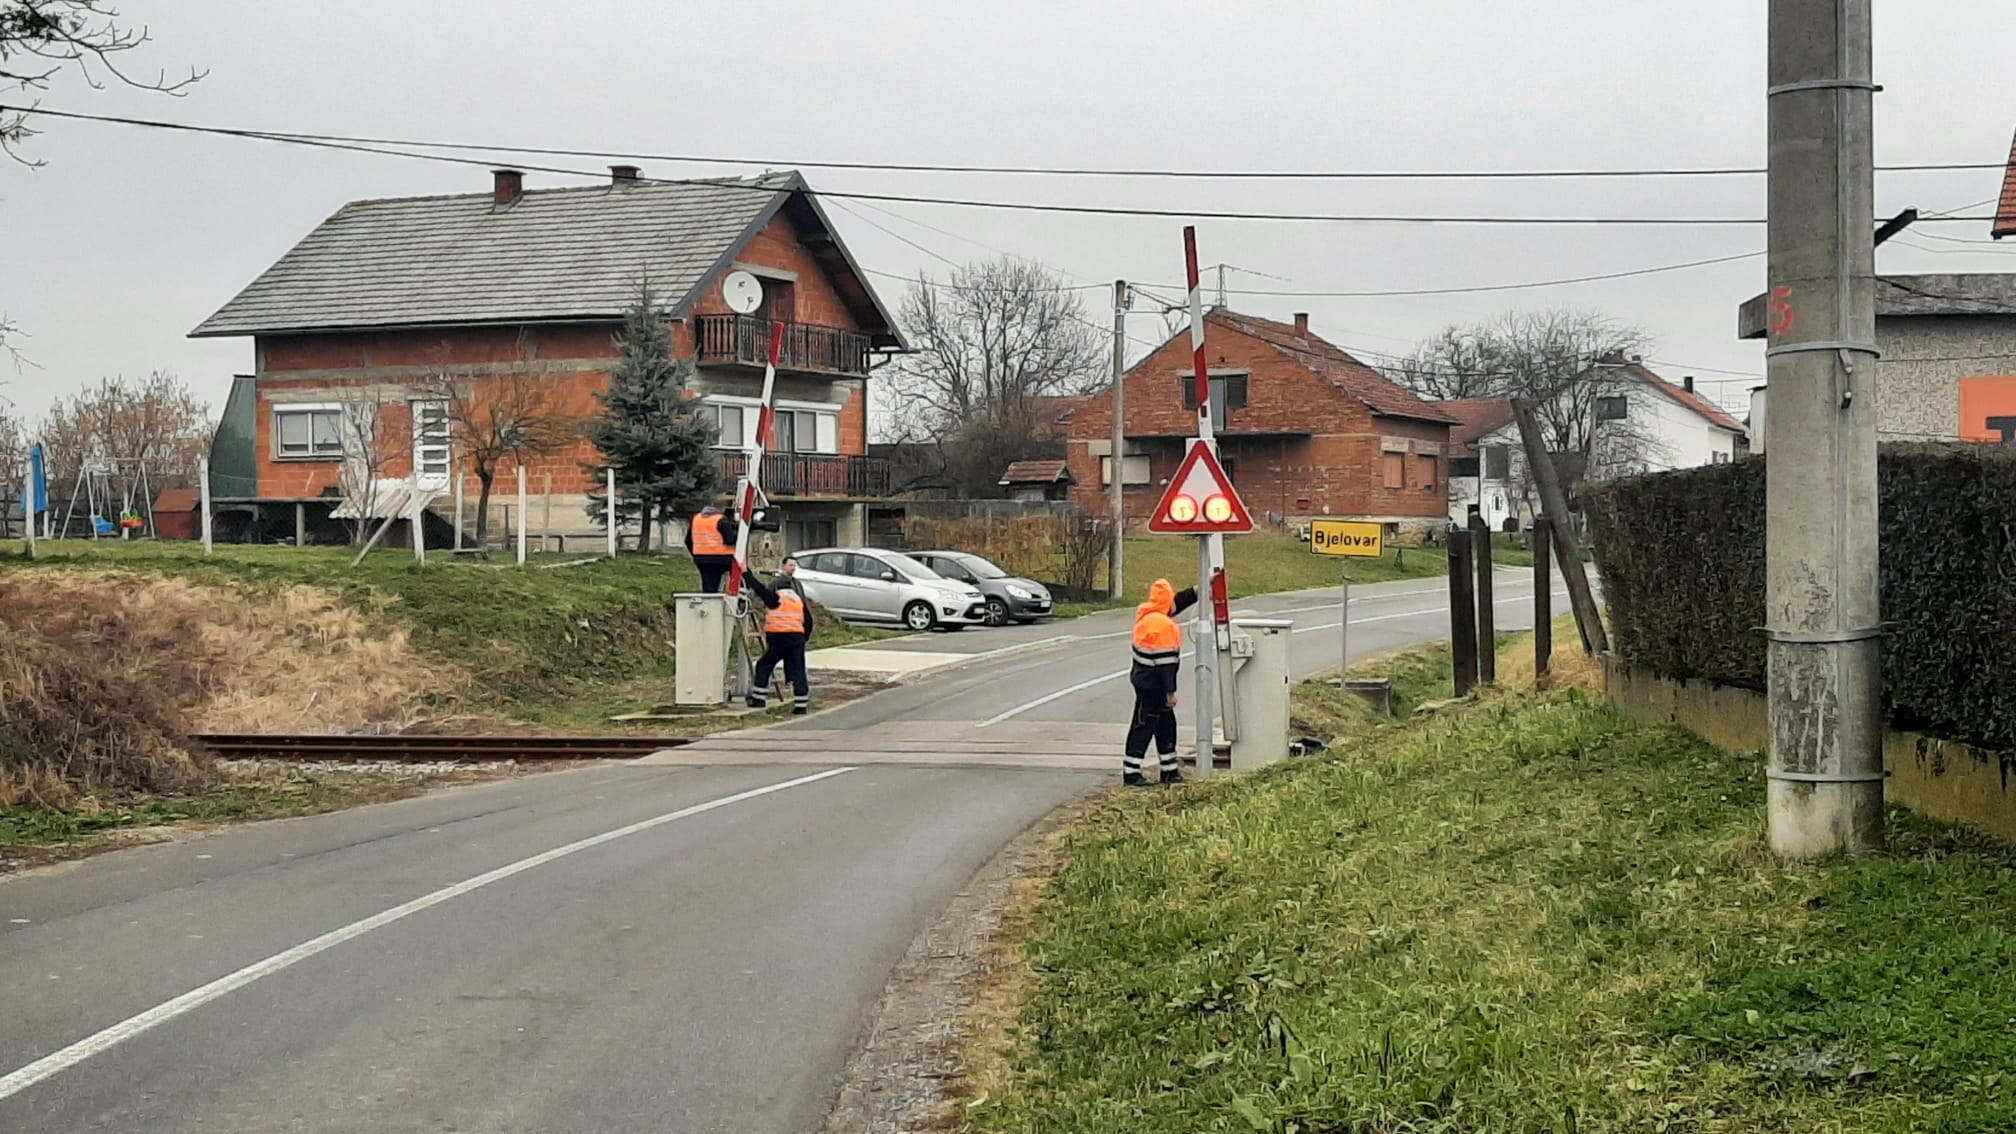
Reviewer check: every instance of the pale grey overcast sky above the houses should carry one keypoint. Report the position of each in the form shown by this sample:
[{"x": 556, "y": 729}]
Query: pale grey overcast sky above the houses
[{"x": 126, "y": 239}]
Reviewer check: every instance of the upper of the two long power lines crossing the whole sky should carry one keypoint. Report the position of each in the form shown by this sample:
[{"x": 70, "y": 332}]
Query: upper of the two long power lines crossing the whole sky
[{"x": 1027, "y": 171}]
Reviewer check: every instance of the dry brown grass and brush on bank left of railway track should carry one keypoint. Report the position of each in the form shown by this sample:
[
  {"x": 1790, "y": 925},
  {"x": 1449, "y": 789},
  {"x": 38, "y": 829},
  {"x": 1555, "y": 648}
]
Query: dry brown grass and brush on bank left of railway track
[{"x": 170, "y": 659}]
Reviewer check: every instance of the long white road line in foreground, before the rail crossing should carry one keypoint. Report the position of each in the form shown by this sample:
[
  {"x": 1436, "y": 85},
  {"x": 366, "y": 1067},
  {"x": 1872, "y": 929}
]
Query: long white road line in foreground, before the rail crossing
[{"x": 68, "y": 1058}]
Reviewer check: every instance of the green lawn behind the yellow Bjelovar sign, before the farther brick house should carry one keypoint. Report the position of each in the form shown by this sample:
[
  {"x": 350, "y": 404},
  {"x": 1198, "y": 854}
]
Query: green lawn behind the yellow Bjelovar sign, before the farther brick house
[{"x": 1259, "y": 566}]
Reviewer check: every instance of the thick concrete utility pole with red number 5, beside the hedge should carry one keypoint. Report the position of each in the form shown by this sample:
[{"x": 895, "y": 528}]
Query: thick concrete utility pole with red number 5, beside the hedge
[{"x": 1821, "y": 606}]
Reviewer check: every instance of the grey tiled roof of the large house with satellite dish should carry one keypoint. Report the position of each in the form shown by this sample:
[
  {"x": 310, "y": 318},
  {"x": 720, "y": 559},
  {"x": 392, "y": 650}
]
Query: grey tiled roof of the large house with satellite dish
[{"x": 553, "y": 255}]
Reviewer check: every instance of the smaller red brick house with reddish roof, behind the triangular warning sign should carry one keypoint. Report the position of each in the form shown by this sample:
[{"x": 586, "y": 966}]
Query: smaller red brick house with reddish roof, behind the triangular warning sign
[{"x": 1303, "y": 429}]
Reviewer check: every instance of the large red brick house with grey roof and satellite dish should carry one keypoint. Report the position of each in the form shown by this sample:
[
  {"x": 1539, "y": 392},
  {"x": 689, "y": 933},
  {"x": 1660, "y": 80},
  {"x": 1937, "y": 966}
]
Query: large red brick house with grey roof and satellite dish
[{"x": 386, "y": 296}]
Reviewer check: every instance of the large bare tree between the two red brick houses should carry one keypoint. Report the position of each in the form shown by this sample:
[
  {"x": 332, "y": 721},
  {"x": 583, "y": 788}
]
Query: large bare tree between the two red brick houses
[{"x": 991, "y": 344}]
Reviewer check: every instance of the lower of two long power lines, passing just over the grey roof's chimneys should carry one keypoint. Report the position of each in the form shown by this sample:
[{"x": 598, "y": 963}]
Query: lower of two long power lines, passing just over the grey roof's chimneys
[{"x": 388, "y": 150}]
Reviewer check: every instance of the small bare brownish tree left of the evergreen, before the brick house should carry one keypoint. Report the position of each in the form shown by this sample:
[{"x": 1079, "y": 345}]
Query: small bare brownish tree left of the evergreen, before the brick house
[{"x": 503, "y": 419}]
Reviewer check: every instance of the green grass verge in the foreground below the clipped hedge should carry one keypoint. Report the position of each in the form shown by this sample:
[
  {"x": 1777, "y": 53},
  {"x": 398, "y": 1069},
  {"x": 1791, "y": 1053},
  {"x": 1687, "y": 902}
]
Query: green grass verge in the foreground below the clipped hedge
[{"x": 1527, "y": 915}]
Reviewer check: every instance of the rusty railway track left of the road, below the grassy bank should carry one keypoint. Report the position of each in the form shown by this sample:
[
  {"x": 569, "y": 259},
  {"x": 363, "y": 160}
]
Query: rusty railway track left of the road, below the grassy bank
[{"x": 434, "y": 750}]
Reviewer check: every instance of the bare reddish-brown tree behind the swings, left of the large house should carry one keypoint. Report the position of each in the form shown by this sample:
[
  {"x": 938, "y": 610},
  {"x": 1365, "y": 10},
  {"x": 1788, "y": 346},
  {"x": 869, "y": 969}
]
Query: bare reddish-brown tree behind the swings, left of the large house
[{"x": 122, "y": 425}]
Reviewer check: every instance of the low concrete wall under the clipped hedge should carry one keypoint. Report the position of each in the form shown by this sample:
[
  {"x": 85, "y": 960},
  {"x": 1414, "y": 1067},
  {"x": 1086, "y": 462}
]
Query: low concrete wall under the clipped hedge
[{"x": 1934, "y": 778}]
